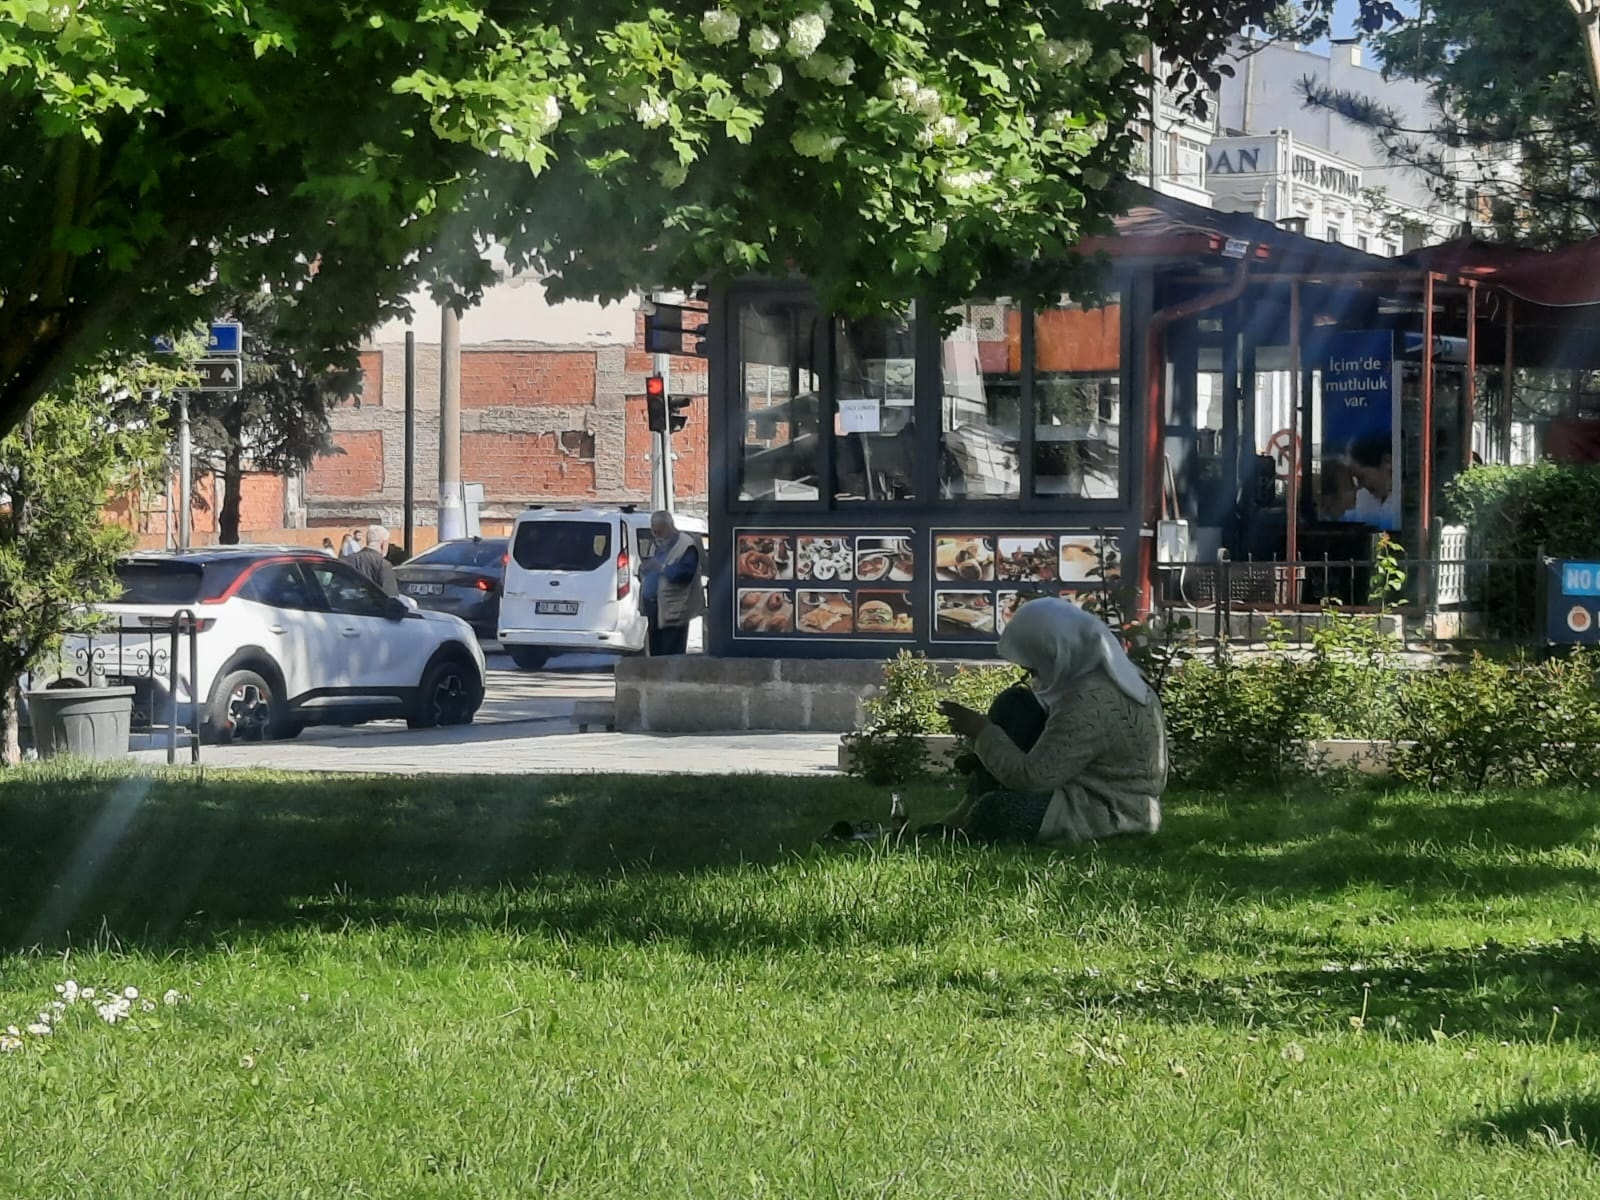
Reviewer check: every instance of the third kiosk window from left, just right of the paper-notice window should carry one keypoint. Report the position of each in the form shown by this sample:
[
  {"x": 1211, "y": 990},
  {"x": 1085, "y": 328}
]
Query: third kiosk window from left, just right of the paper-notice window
[{"x": 982, "y": 404}]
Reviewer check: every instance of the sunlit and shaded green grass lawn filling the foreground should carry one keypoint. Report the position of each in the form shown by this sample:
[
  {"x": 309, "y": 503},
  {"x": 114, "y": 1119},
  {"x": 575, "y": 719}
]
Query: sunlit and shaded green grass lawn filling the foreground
[{"x": 660, "y": 988}]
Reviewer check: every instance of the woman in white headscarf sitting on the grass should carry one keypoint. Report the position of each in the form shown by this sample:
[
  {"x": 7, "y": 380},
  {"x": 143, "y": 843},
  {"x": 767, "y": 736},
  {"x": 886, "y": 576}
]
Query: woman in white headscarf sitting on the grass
[{"x": 1098, "y": 766}]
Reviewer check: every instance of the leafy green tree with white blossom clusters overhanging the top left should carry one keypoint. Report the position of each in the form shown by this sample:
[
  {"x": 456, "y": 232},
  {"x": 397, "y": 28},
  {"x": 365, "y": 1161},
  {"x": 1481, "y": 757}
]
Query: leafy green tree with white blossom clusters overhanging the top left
[{"x": 345, "y": 151}]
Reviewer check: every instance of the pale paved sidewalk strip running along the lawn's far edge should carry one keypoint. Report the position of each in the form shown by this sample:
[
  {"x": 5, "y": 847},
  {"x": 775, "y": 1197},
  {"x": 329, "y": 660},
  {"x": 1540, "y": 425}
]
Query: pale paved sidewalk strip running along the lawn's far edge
[{"x": 530, "y": 748}]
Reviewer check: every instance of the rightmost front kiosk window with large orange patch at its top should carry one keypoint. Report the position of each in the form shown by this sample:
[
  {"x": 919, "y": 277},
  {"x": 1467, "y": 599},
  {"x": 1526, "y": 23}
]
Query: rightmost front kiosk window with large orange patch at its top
[{"x": 1078, "y": 401}]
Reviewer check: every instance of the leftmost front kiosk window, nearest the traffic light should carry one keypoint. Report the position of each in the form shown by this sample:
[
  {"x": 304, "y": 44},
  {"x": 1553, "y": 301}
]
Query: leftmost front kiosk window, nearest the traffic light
[{"x": 780, "y": 401}]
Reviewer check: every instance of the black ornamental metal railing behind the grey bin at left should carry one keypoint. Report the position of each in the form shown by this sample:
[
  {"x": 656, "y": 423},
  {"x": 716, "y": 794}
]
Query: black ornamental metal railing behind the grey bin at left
[{"x": 150, "y": 655}]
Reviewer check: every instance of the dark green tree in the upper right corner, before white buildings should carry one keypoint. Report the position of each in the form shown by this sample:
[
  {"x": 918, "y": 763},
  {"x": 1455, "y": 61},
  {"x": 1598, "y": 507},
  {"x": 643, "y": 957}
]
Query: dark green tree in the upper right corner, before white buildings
[{"x": 1518, "y": 119}]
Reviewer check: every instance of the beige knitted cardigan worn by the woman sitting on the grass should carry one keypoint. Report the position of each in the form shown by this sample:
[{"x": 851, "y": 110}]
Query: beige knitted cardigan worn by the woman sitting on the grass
[{"x": 1102, "y": 759}]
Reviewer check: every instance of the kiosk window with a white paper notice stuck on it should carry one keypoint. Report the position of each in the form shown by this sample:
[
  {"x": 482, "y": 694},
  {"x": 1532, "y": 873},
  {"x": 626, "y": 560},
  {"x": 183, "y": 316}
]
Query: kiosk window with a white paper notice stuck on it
[{"x": 874, "y": 433}]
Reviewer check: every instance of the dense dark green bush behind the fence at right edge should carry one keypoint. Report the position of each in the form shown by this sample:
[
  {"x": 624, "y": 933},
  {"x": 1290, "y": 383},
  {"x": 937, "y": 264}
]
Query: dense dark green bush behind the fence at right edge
[{"x": 1516, "y": 513}]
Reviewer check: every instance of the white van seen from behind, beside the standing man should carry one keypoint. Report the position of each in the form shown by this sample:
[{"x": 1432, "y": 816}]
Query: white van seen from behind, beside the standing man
[{"x": 572, "y": 582}]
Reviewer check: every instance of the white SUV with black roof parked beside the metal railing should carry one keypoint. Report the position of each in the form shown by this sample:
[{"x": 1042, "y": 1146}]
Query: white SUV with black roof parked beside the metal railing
[{"x": 287, "y": 638}]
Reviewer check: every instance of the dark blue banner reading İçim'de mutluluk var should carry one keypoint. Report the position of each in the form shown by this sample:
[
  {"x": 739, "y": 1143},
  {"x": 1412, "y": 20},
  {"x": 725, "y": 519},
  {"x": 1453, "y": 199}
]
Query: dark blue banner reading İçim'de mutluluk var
[{"x": 1361, "y": 430}]
